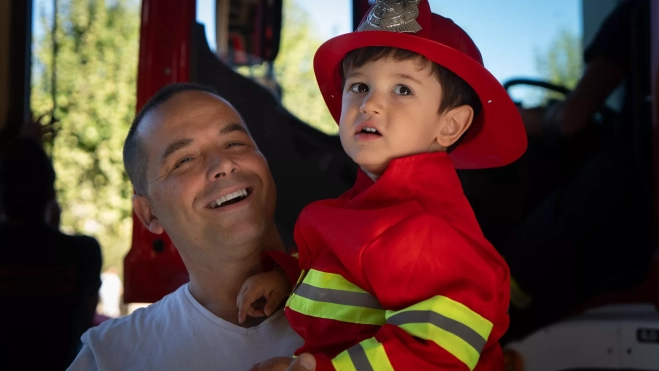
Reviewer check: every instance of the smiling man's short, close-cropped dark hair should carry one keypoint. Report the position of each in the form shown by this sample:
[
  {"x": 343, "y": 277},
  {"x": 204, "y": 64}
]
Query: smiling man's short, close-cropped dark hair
[{"x": 134, "y": 152}]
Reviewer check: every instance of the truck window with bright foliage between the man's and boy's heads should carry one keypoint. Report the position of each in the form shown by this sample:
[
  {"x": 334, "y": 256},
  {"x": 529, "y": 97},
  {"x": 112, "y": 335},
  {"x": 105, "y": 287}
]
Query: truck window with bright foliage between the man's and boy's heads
[{"x": 305, "y": 26}]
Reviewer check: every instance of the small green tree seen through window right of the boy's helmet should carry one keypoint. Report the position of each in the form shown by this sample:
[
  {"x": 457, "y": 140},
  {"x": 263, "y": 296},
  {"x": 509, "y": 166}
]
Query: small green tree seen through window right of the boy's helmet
[{"x": 562, "y": 63}]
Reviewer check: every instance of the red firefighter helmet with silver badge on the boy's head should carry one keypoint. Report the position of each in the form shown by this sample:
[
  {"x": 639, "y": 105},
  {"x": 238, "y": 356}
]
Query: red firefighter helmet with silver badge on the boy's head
[{"x": 496, "y": 137}]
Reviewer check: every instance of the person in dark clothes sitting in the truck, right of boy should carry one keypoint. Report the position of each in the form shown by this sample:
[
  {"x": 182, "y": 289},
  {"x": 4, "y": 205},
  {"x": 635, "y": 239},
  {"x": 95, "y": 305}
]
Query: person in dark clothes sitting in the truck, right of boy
[{"x": 592, "y": 220}]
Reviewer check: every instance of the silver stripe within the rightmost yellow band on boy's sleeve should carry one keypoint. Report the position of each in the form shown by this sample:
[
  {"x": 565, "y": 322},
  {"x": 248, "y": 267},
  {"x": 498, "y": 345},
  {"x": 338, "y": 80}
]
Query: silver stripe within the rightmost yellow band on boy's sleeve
[{"x": 458, "y": 329}]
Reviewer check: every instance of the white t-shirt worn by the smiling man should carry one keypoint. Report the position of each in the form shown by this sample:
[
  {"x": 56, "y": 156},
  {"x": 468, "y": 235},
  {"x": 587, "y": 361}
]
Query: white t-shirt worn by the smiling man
[{"x": 178, "y": 333}]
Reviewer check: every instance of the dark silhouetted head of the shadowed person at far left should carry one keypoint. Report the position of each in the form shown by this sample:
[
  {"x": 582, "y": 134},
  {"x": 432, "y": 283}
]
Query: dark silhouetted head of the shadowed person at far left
[{"x": 27, "y": 180}]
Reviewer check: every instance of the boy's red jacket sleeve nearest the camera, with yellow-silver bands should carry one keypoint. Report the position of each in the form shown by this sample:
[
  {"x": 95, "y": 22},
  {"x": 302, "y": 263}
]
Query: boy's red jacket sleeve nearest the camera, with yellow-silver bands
[{"x": 446, "y": 299}]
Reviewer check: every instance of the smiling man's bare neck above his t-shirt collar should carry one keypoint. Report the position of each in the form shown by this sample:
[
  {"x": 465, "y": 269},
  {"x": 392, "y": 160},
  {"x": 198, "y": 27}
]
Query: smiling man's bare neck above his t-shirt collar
[{"x": 216, "y": 285}]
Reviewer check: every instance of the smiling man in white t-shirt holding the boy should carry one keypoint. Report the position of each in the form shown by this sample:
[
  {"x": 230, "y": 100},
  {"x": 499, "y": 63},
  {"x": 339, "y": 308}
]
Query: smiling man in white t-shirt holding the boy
[{"x": 199, "y": 176}]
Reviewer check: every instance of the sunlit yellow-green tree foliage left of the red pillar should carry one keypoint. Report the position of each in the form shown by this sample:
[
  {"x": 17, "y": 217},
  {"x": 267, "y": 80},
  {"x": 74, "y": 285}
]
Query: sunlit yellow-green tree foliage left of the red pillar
[{"x": 96, "y": 73}]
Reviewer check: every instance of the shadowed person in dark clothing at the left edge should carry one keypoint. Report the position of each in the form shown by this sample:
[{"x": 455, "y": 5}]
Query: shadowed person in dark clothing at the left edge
[{"x": 49, "y": 281}]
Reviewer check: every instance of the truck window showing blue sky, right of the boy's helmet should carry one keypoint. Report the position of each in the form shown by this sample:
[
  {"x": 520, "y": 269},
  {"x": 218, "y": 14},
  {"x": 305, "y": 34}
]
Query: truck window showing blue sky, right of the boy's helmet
[{"x": 520, "y": 39}]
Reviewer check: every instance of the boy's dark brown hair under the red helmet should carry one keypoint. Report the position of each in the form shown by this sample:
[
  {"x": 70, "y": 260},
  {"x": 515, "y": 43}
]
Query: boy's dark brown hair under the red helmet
[{"x": 455, "y": 91}]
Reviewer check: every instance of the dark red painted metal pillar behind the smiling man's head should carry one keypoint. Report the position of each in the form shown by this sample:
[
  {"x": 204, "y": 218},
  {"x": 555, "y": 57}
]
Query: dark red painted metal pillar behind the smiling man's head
[{"x": 153, "y": 268}]
